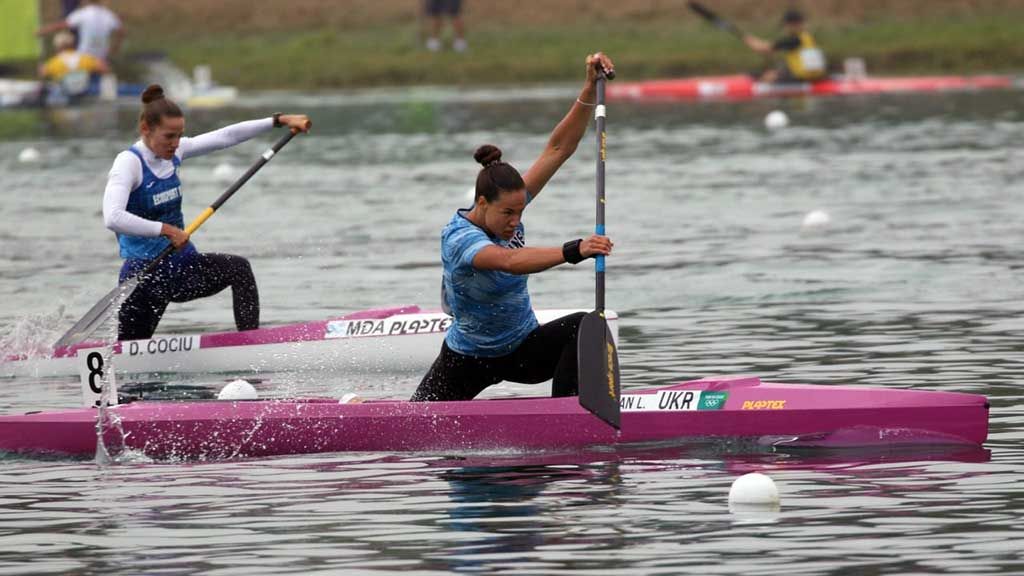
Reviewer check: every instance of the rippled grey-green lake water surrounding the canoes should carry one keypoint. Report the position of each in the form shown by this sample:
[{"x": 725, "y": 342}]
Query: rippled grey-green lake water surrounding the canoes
[{"x": 915, "y": 282}]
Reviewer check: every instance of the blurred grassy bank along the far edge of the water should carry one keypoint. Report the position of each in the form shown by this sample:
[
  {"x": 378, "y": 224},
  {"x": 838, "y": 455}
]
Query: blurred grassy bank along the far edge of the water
[{"x": 319, "y": 45}]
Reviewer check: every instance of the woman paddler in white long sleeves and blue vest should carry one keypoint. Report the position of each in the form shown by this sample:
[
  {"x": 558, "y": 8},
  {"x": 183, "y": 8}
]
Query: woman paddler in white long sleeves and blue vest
[{"x": 143, "y": 205}]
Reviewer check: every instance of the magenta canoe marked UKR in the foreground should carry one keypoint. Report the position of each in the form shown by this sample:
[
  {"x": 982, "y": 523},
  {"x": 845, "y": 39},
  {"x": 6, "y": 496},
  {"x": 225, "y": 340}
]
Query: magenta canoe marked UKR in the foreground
[{"x": 732, "y": 407}]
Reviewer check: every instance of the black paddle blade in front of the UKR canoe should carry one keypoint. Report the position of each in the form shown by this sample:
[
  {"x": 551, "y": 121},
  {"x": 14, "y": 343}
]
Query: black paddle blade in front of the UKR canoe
[{"x": 600, "y": 381}]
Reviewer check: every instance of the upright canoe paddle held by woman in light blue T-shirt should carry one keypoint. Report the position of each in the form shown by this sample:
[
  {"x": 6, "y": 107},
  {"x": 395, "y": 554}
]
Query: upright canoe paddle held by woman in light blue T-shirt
[{"x": 599, "y": 369}]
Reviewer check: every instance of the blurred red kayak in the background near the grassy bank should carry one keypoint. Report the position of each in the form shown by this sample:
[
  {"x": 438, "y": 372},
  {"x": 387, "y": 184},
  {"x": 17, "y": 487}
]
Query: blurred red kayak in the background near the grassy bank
[{"x": 745, "y": 88}]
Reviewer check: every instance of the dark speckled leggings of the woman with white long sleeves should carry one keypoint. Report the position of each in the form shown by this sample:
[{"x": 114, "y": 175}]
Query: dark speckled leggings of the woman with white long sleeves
[{"x": 199, "y": 277}]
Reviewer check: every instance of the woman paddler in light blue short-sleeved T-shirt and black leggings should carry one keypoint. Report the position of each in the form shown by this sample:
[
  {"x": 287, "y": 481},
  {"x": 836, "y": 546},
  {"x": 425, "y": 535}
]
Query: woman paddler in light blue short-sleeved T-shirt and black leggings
[{"x": 495, "y": 336}]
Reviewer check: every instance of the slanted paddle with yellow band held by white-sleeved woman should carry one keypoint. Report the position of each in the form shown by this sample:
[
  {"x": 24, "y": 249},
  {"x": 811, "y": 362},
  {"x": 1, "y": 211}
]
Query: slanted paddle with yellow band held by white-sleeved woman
[{"x": 107, "y": 306}]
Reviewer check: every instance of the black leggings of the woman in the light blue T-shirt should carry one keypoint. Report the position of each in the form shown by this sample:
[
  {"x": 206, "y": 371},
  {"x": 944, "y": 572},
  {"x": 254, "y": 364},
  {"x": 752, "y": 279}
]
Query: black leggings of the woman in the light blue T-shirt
[{"x": 548, "y": 352}]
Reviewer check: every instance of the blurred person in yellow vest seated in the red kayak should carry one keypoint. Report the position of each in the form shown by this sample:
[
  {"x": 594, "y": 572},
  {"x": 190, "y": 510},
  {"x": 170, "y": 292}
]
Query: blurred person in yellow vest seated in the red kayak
[{"x": 803, "y": 61}]
